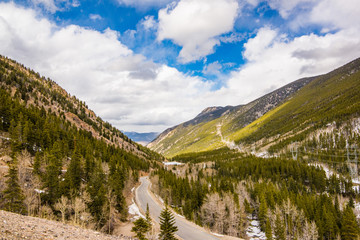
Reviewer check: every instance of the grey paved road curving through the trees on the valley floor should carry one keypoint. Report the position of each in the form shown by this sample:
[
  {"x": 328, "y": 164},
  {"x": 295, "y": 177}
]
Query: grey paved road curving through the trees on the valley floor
[{"x": 186, "y": 230}]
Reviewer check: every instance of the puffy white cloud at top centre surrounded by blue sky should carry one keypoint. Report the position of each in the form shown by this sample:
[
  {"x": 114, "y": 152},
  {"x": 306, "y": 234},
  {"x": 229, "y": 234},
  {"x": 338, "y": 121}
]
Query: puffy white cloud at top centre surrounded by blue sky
[{"x": 195, "y": 24}]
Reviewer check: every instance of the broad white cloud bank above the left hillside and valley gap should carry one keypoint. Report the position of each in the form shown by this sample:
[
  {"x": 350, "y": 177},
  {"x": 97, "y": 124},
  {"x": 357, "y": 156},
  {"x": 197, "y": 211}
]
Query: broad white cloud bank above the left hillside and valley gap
[{"x": 122, "y": 87}]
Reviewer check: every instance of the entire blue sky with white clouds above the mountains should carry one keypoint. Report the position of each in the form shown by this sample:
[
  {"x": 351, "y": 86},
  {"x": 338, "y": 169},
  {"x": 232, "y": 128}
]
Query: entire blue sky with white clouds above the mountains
[{"x": 146, "y": 65}]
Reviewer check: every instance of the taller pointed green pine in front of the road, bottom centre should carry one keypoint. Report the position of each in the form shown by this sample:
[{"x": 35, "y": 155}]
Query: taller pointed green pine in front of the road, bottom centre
[{"x": 167, "y": 225}]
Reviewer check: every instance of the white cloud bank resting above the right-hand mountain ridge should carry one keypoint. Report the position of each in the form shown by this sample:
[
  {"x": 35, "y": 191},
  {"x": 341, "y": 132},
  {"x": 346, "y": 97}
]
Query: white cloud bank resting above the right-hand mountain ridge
[{"x": 274, "y": 60}]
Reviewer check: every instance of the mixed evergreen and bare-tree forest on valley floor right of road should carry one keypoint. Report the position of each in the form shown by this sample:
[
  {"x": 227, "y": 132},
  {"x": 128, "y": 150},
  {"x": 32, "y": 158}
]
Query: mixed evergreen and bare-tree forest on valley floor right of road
[{"x": 292, "y": 199}]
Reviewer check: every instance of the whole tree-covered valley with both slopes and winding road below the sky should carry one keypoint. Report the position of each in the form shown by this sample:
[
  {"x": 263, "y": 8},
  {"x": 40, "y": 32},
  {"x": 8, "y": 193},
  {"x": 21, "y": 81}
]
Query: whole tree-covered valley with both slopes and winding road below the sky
[{"x": 281, "y": 167}]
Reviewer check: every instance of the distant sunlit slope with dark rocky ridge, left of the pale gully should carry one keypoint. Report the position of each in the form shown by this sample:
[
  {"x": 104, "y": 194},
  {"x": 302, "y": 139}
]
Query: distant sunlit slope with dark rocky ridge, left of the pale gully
[{"x": 209, "y": 130}]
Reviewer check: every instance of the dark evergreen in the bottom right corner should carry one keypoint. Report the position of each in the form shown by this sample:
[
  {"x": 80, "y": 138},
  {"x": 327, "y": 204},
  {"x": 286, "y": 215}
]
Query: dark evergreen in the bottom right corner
[{"x": 350, "y": 228}]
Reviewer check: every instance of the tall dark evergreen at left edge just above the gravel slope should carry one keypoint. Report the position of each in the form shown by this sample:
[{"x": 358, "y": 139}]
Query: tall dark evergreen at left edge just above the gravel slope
[{"x": 13, "y": 196}]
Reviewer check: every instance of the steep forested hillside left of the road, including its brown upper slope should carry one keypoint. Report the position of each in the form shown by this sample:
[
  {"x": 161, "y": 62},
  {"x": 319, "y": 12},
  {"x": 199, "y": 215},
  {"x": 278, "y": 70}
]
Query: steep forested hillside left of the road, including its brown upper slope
[{"x": 58, "y": 159}]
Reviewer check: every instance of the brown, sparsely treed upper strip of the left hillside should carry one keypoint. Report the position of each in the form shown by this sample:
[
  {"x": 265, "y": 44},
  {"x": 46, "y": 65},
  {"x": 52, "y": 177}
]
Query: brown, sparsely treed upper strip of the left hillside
[{"x": 40, "y": 92}]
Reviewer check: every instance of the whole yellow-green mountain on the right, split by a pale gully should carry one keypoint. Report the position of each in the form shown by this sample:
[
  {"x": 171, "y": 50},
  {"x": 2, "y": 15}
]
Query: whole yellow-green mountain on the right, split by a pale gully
[{"x": 288, "y": 114}]
